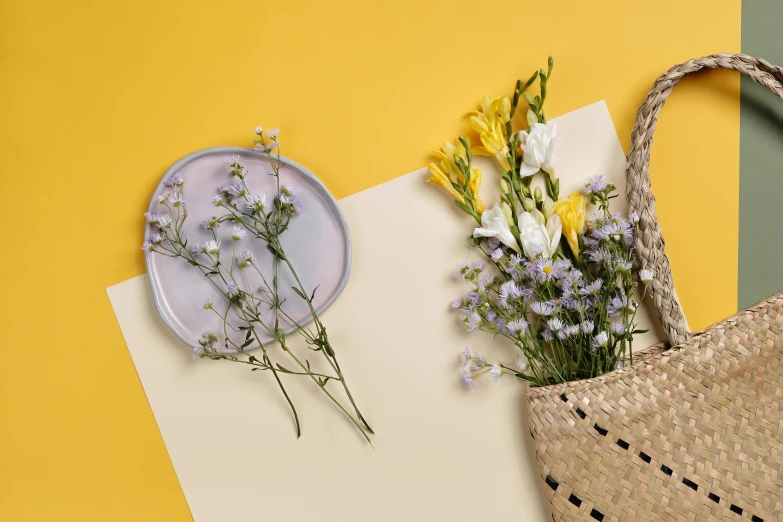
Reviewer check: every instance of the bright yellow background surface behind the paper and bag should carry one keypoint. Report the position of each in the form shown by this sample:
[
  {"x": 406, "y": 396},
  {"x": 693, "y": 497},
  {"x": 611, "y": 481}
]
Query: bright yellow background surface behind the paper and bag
[{"x": 98, "y": 98}]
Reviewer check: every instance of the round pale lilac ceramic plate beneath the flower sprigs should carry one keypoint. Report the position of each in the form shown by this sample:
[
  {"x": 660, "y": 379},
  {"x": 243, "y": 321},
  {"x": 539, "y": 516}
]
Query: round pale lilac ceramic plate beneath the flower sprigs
[{"x": 318, "y": 244}]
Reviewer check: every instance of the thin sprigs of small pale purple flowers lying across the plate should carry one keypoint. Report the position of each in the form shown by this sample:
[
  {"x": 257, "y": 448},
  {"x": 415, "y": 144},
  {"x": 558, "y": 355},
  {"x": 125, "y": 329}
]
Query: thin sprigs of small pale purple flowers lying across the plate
[{"x": 251, "y": 215}]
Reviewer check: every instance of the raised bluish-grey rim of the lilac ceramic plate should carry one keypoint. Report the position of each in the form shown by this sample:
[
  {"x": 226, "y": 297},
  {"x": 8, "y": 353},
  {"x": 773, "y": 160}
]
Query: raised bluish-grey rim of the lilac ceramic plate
[{"x": 179, "y": 164}]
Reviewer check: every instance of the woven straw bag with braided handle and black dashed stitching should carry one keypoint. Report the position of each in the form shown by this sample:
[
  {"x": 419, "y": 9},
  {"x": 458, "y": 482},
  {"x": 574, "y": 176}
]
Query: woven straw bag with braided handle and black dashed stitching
[{"x": 692, "y": 433}]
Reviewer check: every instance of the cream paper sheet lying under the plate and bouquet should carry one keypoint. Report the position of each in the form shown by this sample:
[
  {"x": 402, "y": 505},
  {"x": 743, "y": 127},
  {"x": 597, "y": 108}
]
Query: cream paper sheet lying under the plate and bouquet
[{"x": 441, "y": 451}]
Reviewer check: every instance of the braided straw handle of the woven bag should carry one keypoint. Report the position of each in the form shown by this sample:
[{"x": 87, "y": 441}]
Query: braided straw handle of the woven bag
[{"x": 649, "y": 239}]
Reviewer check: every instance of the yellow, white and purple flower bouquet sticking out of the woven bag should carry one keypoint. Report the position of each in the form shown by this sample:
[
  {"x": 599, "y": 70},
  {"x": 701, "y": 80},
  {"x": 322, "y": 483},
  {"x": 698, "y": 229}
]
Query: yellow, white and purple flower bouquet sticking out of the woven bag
[{"x": 559, "y": 285}]
